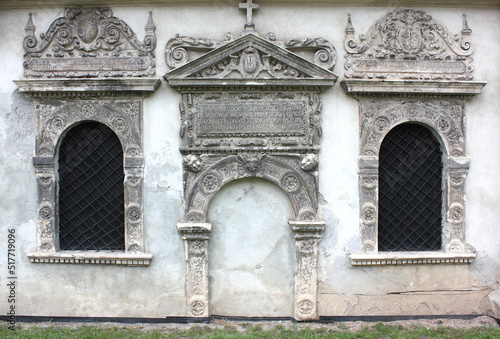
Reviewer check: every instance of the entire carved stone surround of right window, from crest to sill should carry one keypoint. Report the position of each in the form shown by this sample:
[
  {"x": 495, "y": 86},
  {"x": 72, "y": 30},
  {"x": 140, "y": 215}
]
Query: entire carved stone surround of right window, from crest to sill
[{"x": 436, "y": 68}]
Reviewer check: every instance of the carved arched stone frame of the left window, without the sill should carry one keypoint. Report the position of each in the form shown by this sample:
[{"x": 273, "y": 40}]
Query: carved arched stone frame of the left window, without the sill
[{"x": 54, "y": 118}]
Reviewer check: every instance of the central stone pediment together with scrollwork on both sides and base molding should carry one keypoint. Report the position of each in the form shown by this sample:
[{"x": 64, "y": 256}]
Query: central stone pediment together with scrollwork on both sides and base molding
[{"x": 249, "y": 62}]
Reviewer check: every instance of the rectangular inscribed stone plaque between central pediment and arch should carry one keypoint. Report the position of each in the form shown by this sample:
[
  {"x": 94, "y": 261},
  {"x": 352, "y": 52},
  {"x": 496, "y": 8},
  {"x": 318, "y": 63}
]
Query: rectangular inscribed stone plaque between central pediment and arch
[{"x": 262, "y": 118}]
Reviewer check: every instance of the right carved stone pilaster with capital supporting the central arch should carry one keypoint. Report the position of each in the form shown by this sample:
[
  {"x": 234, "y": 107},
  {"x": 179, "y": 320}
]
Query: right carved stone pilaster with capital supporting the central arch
[{"x": 307, "y": 235}]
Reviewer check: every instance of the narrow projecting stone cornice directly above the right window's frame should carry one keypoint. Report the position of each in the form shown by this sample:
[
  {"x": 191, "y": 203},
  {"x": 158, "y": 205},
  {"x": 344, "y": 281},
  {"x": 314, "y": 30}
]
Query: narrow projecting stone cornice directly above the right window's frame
[{"x": 396, "y": 87}]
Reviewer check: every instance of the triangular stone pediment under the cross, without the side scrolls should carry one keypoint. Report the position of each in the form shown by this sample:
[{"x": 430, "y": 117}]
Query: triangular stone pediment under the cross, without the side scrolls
[{"x": 250, "y": 57}]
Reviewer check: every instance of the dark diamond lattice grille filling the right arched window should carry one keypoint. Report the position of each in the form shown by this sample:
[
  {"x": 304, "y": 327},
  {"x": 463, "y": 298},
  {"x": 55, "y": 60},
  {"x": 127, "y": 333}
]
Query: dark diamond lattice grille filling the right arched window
[{"x": 410, "y": 190}]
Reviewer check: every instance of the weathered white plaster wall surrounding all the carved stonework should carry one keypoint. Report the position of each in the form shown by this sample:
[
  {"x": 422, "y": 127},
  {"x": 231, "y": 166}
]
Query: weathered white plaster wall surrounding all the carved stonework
[{"x": 158, "y": 290}]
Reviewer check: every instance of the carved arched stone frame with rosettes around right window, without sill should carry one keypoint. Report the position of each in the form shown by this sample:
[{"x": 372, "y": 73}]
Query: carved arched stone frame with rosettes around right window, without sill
[{"x": 446, "y": 119}]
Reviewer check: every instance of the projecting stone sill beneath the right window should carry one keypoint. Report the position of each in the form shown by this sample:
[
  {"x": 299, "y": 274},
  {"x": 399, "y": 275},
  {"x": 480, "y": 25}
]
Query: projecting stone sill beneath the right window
[{"x": 409, "y": 258}]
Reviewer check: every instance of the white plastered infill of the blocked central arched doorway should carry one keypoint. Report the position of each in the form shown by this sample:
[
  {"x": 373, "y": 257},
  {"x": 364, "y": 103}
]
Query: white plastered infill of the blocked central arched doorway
[{"x": 251, "y": 251}]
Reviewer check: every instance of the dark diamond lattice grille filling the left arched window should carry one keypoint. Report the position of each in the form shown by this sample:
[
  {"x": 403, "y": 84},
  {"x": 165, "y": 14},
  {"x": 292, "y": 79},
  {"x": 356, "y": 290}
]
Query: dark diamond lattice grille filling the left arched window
[{"x": 91, "y": 215}]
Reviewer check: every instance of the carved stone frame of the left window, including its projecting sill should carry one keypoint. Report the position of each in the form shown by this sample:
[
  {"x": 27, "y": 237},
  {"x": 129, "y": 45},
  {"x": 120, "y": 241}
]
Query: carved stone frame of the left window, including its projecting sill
[{"x": 56, "y": 116}]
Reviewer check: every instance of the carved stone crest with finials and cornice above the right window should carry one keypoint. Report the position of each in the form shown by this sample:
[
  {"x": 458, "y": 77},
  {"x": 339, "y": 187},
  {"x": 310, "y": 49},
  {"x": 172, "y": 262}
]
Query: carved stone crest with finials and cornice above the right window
[{"x": 411, "y": 52}]
